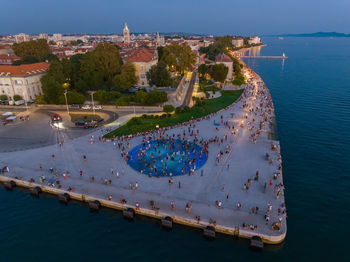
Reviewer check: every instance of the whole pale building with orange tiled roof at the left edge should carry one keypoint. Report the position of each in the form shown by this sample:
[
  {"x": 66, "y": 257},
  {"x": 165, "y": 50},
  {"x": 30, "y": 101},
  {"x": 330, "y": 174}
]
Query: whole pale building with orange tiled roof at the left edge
[{"x": 23, "y": 80}]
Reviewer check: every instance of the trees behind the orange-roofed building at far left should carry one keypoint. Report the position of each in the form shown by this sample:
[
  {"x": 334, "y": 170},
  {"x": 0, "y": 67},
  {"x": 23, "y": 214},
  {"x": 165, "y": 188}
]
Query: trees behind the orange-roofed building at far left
[{"x": 37, "y": 48}]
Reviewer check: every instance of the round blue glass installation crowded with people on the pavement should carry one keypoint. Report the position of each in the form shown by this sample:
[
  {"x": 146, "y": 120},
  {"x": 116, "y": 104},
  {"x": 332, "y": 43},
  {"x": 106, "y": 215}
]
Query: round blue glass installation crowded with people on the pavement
[{"x": 167, "y": 157}]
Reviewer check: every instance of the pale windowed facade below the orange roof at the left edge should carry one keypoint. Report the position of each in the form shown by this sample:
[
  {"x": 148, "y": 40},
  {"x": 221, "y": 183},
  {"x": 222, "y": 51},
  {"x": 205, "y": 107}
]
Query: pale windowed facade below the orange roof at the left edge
[{"x": 28, "y": 87}]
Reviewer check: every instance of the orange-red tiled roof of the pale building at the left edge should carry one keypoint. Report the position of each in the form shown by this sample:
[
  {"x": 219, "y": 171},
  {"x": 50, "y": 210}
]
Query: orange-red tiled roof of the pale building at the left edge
[{"x": 22, "y": 70}]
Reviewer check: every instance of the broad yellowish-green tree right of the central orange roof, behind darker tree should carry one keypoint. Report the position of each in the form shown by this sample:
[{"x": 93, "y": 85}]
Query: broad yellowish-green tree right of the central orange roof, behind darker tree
[{"x": 179, "y": 57}]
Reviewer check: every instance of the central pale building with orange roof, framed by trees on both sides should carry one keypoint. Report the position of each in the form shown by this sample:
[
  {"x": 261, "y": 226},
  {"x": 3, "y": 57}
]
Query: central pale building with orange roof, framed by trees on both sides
[{"x": 143, "y": 59}]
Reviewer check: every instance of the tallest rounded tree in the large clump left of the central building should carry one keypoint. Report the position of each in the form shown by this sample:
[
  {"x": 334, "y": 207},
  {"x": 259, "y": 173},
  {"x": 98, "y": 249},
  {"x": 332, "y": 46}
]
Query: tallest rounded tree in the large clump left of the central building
[{"x": 99, "y": 67}]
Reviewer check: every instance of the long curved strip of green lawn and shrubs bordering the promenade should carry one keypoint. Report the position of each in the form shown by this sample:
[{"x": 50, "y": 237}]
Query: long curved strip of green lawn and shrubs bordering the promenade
[{"x": 146, "y": 123}]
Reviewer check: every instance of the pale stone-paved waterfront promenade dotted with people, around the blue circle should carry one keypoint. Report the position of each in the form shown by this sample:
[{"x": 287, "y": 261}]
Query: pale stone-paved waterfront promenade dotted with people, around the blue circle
[{"x": 213, "y": 183}]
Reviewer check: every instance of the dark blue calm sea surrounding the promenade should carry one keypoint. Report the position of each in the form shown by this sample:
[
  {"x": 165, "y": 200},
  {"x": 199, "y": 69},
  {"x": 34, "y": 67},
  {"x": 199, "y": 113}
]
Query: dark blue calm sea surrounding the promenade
[{"x": 311, "y": 93}]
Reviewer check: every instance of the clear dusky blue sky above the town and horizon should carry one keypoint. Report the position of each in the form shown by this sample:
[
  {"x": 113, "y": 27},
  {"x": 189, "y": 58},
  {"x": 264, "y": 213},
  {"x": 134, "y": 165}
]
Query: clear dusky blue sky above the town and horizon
[{"x": 217, "y": 17}]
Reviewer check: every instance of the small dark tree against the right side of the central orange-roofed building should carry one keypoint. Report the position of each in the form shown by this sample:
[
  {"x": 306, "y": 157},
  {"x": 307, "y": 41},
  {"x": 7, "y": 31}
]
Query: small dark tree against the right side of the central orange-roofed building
[{"x": 159, "y": 75}]
